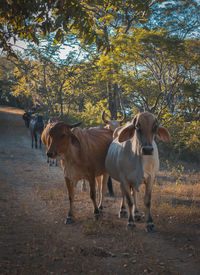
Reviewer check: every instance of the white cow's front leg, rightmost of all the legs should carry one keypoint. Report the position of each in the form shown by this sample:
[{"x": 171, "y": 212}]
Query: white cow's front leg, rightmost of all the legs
[{"x": 147, "y": 202}]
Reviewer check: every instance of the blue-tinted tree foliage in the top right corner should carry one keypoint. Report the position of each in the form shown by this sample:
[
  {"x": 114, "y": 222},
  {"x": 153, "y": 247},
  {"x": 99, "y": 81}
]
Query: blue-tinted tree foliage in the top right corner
[{"x": 180, "y": 18}]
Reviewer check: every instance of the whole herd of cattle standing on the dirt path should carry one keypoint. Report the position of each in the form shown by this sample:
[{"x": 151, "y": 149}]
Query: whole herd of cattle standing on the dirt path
[{"x": 128, "y": 154}]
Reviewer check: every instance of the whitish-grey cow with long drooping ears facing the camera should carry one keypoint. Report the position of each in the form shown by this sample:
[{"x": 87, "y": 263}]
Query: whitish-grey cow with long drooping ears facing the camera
[{"x": 132, "y": 159}]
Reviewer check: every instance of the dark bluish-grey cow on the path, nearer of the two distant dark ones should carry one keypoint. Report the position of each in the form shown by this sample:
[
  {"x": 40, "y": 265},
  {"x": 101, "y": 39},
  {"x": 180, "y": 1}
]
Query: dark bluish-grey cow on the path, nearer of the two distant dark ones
[{"x": 36, "y": 128}]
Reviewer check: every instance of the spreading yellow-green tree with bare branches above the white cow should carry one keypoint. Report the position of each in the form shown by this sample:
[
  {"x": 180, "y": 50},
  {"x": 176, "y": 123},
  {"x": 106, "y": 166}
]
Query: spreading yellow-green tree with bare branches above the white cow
[{"x": 154, "y": 68}]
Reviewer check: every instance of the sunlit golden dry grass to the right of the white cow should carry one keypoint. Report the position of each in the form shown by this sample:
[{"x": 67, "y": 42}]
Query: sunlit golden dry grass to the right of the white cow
[{"x": 176, "y": 195}]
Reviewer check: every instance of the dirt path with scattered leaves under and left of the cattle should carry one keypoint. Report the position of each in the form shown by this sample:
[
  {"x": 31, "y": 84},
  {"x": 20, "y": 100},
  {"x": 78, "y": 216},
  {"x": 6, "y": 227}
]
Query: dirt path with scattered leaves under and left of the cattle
[{"x": 34, "y": 239}]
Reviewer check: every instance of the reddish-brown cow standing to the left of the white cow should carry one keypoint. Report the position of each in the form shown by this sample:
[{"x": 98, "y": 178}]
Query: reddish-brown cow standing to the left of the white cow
[{"x": 82, "y": 153}]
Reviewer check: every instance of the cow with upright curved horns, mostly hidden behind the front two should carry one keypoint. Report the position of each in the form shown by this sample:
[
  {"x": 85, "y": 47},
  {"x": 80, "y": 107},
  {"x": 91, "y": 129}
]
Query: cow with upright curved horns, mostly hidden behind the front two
[{"x": 112, "y": 125}]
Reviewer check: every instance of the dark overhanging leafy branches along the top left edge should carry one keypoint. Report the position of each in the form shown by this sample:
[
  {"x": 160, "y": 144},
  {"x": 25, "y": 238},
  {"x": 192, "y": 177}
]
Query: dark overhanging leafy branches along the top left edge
[{"x": 90, "y": 20}]
